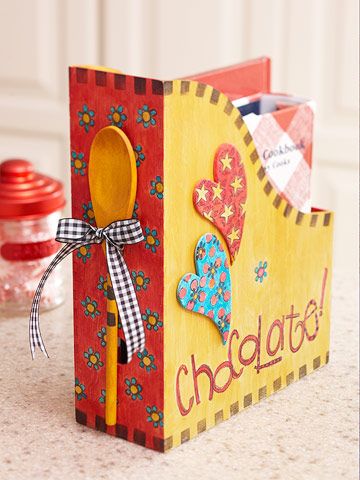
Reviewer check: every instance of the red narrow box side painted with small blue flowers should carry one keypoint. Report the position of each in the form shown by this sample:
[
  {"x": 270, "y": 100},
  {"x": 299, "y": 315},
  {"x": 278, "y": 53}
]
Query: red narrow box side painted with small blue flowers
[{"x": 98, "y": 99}]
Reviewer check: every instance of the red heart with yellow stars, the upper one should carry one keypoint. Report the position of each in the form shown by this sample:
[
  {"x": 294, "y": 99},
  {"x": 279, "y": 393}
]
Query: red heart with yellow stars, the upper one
[{"x": 222, "y": 201}]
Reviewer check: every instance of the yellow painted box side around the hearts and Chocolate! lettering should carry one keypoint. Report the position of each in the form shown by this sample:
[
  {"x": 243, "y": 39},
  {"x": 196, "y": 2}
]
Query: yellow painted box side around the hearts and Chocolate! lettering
[{"x": 297, "y": 248}]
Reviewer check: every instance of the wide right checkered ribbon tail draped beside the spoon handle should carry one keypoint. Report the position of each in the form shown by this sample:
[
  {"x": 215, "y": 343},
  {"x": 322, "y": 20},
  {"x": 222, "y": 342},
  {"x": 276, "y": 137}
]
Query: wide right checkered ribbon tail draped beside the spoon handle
[{"x": 125, "y": 296}]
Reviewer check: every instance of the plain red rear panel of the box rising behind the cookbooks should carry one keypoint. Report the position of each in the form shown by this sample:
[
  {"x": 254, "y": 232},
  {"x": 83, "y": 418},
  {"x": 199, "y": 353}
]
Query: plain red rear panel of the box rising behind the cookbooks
[{"x": 240, "y": 80}]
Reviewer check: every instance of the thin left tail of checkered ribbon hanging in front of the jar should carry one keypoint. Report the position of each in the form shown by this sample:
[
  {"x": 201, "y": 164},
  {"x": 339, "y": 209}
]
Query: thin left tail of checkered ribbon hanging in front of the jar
[{"x": 35, "y": 337}]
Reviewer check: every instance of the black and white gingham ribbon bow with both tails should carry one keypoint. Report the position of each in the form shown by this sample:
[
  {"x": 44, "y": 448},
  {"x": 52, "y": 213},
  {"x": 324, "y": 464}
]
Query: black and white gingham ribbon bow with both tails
[{"x": 77, "y": 233}]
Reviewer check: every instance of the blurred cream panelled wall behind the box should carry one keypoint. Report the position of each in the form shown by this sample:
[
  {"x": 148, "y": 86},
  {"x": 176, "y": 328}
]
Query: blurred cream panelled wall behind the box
[{"x": 313, "y": 44}]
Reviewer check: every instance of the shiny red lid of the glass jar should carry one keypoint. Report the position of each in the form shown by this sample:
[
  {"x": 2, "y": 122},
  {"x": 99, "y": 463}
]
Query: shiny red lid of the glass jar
[{"x": 25, "y": 194}]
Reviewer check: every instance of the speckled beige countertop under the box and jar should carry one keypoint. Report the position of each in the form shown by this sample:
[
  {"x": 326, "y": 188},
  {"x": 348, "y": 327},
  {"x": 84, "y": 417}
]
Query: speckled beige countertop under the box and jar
[{"x": 307, "y": 431}]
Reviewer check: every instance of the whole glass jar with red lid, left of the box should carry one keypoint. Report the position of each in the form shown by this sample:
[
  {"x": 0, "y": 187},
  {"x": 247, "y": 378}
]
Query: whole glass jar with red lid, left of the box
[{"x": 30, "y": 208}]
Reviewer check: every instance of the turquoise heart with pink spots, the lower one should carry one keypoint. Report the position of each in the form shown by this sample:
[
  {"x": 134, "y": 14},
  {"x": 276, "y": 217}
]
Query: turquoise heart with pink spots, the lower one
[{"x": 209, "y": 290}]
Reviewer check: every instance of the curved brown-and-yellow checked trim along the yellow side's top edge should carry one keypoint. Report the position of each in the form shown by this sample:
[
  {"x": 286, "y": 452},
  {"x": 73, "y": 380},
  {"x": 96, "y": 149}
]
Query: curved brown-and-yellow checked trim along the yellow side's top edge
[{"x": 219, "y": 100}]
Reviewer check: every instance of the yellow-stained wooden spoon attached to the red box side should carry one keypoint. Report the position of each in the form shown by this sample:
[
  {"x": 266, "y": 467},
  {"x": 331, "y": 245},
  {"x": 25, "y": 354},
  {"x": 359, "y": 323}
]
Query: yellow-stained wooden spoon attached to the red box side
[{"x": 113, "y": 181}]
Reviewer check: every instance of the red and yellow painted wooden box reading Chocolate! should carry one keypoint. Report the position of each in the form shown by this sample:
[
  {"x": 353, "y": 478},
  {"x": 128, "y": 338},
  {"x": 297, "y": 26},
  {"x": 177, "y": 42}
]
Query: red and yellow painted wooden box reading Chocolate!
[{"x": 232, "y": 282}]
